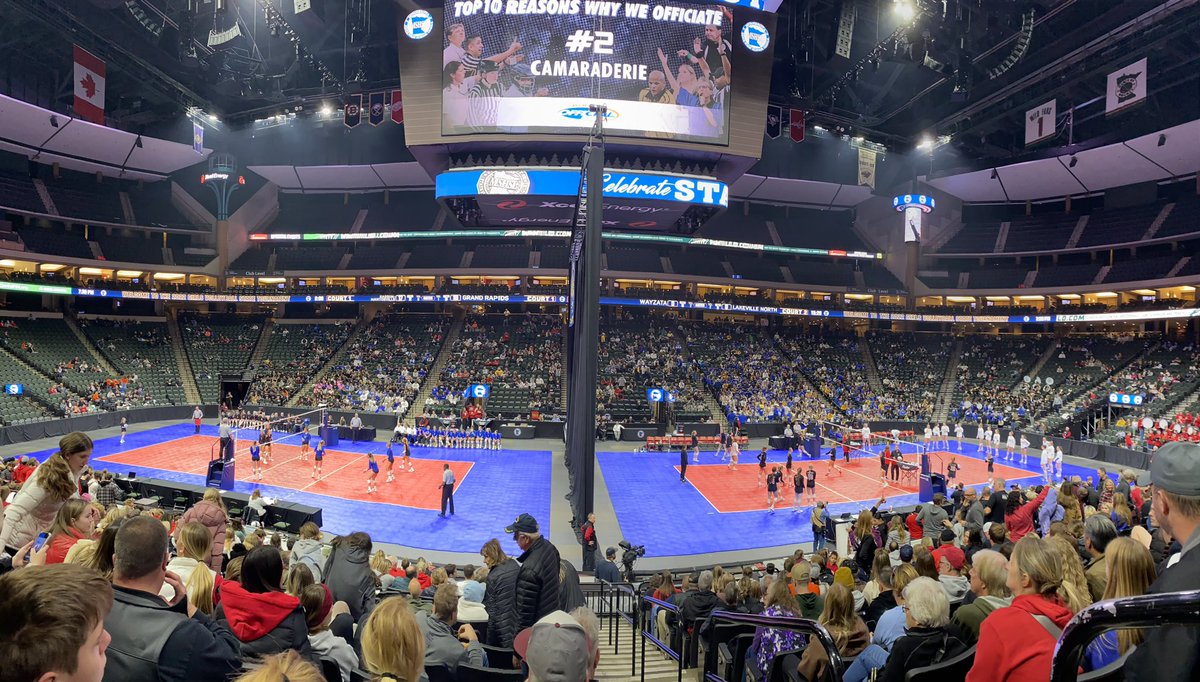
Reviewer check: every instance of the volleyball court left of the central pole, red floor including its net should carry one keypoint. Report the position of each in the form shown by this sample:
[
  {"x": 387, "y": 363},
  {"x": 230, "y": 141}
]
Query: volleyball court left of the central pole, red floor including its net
[{"x": 287, "y": 465}]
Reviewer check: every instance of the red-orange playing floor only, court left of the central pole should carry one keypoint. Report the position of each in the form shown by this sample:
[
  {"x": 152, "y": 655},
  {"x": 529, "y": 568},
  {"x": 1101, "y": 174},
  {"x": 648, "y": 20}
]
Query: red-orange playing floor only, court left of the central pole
[{"x": 345, "y": 475}]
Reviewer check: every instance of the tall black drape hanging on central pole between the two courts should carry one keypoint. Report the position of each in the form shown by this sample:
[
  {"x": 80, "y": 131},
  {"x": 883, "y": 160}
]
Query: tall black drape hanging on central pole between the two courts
[{"x": 584, "y": 334}]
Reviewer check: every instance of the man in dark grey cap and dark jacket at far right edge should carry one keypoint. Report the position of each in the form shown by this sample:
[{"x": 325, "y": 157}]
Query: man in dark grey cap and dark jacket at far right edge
[{"x": 1173, "y": 653}]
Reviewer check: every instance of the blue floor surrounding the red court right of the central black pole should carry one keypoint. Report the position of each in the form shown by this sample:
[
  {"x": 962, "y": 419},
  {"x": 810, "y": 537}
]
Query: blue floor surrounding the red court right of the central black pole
[{"x": 674, "y": 519}]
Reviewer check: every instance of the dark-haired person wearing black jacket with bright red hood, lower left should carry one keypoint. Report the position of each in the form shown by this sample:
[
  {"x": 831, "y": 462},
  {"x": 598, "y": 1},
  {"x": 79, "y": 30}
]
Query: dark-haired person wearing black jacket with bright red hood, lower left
[{"x": 263, "y": 618}]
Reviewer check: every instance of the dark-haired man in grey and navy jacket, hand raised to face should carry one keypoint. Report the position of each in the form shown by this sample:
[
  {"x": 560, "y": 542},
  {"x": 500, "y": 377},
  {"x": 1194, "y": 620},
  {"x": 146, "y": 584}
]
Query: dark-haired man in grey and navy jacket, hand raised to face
[{"x": 153, "y": 639}]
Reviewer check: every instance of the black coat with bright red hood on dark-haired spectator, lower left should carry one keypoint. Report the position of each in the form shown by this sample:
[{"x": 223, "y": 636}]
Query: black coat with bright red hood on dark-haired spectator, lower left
[{"x": 265, "y": 623}]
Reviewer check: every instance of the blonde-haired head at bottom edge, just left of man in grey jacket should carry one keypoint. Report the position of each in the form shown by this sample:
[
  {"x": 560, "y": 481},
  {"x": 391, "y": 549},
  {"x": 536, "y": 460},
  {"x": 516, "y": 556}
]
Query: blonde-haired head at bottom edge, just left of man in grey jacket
[{"x": 393, "y": 645}]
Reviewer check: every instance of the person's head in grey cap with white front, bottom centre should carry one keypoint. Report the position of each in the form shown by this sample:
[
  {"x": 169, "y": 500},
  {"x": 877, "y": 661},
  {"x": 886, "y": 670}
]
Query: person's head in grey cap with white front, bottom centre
[{"x": 556, "y": 649}]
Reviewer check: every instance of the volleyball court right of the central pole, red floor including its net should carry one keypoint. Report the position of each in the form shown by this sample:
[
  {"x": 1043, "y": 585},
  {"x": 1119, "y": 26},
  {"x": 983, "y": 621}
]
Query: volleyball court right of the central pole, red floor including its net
[{"x": 856, "y": 480}]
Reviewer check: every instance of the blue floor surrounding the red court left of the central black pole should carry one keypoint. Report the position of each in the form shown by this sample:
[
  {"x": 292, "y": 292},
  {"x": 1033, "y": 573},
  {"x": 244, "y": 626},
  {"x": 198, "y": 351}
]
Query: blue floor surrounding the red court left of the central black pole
[{"x": 501, "y": 486}]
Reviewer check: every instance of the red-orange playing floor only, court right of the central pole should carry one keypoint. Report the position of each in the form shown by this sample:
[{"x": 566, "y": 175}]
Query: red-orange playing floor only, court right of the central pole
[{"x": 730, "y": 492}]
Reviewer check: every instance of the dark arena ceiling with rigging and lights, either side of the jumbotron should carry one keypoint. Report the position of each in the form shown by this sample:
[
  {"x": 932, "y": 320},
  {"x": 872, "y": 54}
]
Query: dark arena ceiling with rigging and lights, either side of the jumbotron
[{"x": 943, "y": 73}]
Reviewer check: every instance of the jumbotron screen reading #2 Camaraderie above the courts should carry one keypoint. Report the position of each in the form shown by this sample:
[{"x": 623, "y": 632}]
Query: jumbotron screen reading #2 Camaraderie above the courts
[{"x": 664, "y": 70}]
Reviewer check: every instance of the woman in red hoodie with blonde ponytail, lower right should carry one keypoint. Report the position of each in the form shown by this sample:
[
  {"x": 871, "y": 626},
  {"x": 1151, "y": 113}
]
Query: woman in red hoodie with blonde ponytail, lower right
[{"x": 1017, "y": 643}]
